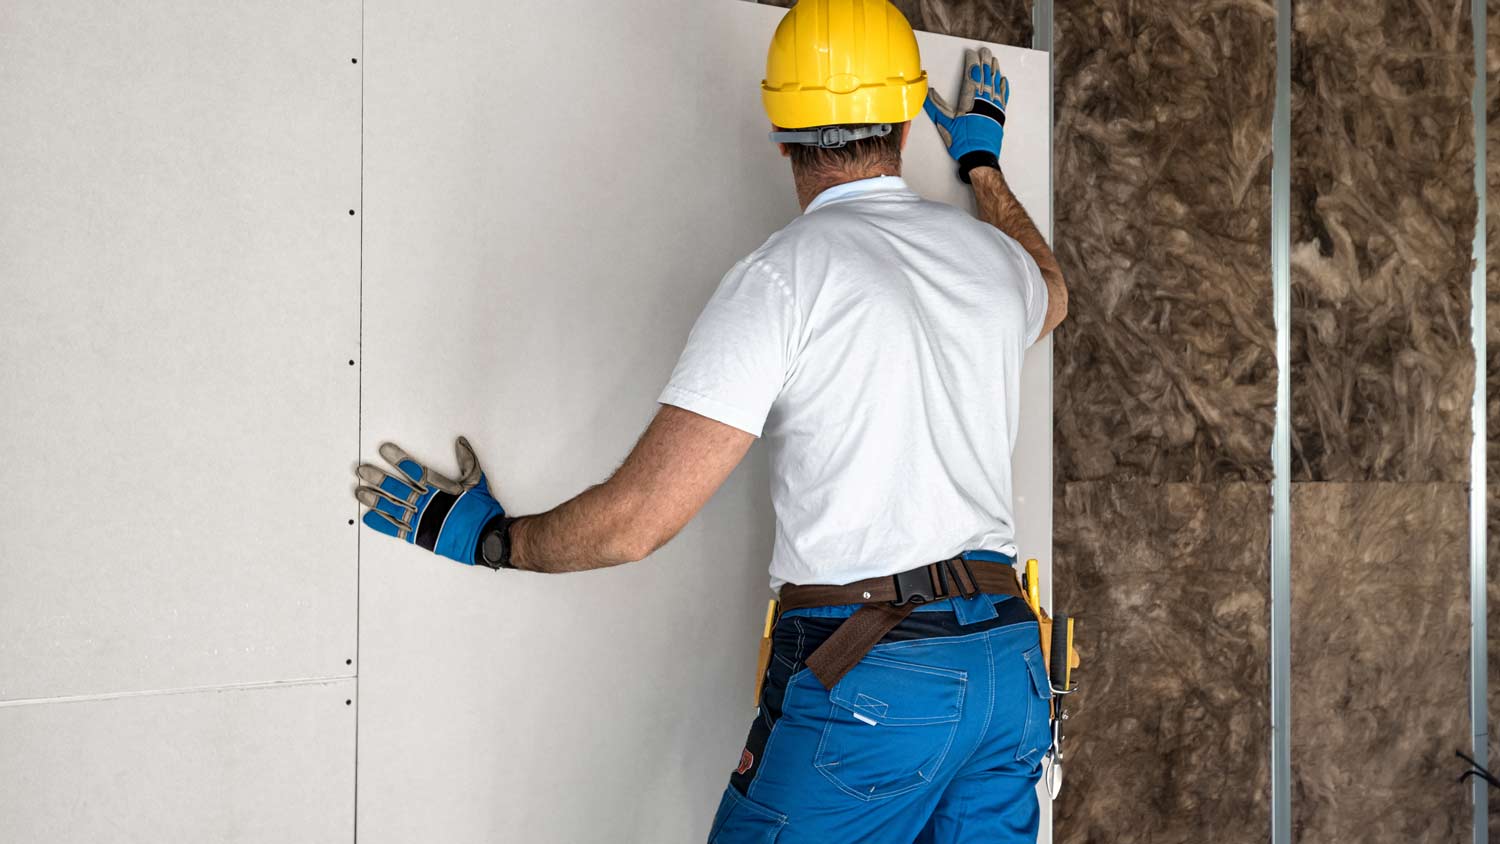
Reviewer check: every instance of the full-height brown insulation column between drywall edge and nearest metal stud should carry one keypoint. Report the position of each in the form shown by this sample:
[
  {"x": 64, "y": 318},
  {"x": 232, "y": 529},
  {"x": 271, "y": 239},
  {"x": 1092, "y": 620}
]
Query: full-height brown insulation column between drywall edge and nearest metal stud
[{"x": 1165, "y": 394}]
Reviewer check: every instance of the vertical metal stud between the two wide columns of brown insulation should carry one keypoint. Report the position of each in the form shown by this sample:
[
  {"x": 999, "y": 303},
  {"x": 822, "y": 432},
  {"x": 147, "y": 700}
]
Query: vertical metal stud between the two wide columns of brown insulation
[{"x": 1282, "y": 444}]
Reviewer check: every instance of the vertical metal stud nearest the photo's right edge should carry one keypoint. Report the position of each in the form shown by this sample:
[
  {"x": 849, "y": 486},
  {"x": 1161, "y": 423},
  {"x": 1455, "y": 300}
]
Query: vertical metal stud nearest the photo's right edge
[{"x": 1478, "y": 477}]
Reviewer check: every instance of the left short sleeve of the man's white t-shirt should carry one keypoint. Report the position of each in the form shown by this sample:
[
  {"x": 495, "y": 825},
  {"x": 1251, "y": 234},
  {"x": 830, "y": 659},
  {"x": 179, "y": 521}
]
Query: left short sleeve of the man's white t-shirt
[{"x": 740, "y": 350}]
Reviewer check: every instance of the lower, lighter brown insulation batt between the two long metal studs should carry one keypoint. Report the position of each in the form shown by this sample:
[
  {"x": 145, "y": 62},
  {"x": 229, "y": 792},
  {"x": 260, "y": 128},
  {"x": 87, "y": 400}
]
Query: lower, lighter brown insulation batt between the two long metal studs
[{"x": 1379, "y": 662}]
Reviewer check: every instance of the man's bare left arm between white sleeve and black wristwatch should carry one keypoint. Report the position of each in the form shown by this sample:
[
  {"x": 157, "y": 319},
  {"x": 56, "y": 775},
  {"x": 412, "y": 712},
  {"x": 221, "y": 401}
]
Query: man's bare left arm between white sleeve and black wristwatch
[{"x": 670, "y": 476}]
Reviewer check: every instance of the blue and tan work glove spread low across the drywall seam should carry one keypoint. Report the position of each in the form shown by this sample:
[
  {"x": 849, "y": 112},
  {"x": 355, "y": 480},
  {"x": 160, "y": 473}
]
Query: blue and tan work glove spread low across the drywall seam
[{"x": 427, "y": 509}]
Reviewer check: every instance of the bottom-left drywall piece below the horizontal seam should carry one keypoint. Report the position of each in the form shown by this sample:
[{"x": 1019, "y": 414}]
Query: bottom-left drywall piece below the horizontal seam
[{"x": 268, "y": 764}]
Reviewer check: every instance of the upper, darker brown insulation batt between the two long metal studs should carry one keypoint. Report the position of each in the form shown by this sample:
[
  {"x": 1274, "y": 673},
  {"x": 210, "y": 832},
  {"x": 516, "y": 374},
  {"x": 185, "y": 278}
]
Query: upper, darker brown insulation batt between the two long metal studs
[{"x": 1382, "y": 230}]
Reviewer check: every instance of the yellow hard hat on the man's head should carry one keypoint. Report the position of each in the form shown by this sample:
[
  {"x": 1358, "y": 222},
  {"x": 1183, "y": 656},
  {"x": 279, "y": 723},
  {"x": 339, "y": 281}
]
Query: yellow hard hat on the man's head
[{"x": 838, "y": 62}]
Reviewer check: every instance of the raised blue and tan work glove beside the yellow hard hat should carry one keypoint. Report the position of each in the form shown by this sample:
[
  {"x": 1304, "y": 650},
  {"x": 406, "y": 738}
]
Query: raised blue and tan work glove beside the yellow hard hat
[{"x": 976, "y": 130}]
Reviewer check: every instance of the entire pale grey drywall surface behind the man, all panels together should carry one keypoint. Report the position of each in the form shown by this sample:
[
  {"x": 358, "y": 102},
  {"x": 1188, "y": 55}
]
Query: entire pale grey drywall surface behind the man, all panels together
[{"x": 194, "y": 633}]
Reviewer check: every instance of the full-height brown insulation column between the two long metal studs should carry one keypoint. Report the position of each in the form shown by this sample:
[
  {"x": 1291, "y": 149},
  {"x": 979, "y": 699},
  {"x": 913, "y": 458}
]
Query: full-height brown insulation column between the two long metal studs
[{"x": 1382, "y": 385}]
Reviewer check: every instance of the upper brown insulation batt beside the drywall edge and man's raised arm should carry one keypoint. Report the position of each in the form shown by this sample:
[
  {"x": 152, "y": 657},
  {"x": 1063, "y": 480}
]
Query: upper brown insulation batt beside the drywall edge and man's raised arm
[{"x": 1166, "y": 367}]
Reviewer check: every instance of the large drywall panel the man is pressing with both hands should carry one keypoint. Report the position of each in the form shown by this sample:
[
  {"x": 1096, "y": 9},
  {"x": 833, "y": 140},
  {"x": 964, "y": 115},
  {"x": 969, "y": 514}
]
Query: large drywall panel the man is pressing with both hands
[{"x": 554, "y": 191}]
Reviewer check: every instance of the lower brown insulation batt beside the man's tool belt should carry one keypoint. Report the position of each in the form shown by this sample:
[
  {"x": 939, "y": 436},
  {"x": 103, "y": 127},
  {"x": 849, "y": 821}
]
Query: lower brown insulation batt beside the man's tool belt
[{"x": 1169, "y": 735}]
